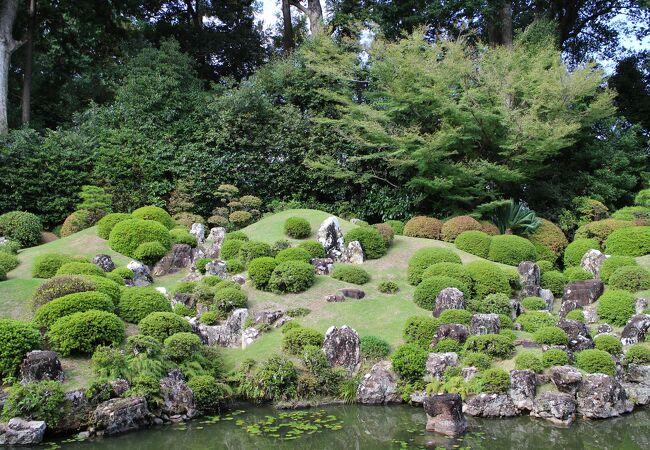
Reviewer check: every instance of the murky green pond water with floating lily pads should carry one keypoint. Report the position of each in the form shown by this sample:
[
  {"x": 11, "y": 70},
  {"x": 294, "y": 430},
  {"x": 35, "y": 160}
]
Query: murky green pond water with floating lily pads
[{"x": 367, "y": 427}]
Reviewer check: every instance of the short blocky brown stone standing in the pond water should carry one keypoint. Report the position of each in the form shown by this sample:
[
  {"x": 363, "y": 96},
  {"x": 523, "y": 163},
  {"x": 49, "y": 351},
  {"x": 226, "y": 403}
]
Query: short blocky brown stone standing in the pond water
[{"x": 445, "y": 414}]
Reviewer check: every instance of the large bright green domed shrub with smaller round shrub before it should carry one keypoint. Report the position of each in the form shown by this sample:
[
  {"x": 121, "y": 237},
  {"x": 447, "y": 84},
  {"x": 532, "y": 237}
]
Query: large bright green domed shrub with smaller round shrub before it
[{"x": 127, "y": 235}]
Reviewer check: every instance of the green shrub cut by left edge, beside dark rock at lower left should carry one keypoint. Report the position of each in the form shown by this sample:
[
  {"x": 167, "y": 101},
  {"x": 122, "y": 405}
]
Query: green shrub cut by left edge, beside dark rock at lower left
[{"x": 16, "y": 340}]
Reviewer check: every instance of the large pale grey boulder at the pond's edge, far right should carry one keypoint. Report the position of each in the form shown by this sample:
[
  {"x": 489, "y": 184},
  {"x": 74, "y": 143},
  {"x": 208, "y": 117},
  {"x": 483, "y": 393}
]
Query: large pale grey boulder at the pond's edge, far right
[{"x": 601, "y": 396}]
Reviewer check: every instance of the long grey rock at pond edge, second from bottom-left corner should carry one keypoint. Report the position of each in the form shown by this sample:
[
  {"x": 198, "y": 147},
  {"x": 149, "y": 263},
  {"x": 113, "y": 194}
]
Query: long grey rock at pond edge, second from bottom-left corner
[{"x": 120, "y": 415}]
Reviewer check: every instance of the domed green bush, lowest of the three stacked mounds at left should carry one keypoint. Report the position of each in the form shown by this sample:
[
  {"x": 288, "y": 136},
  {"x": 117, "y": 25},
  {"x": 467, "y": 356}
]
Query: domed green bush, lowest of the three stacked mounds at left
[{"x": 82, "y": 332}]
